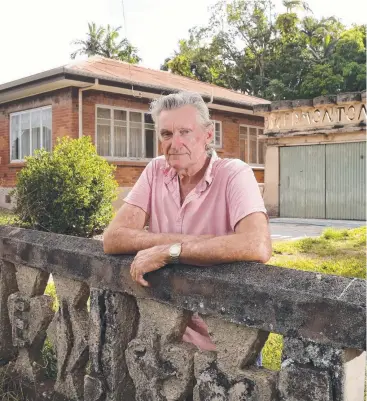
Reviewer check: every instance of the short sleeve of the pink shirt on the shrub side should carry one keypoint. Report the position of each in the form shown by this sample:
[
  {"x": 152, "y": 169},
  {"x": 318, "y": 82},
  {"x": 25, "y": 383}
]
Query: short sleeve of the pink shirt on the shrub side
[{"x": 141, "y": 193}]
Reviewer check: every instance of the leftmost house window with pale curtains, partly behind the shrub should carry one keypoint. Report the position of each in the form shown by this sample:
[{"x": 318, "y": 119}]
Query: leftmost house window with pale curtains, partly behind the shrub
[{"x": 30, "y": 130}]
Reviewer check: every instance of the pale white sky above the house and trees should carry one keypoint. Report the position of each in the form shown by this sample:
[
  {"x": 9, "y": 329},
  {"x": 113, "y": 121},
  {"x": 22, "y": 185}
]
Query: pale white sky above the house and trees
[{"x": 36, "y": 35}]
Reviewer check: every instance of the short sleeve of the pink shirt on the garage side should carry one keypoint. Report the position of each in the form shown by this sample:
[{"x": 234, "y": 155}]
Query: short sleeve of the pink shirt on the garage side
[{"x": 243, "y": 194}]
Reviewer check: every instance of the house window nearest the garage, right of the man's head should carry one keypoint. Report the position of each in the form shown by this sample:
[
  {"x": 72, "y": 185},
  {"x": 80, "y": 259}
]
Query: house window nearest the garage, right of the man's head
[{"x": 252, "y": 148}]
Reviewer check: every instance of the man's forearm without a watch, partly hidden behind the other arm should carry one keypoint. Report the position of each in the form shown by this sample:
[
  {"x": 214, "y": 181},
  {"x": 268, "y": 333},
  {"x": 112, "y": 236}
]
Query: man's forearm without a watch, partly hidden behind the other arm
[{"x": 131, "y": 241}]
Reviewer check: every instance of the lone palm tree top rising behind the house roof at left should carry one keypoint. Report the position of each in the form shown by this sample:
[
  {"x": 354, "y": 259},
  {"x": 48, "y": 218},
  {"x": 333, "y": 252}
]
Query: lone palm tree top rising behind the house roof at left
[{"x": 104, "y": 42}]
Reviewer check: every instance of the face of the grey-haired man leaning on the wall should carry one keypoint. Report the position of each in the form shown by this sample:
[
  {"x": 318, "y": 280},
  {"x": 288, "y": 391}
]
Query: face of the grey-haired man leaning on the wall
[{"x": 182, "y": 136}]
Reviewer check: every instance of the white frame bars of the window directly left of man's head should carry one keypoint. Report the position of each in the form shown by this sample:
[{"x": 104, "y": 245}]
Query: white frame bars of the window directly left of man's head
[{"x": 127, "y": 110}]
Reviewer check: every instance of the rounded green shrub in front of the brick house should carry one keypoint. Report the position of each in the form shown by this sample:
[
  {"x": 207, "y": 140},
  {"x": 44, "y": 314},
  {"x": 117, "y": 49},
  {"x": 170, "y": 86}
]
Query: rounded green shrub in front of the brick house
[{"x": 69, "y": 191}]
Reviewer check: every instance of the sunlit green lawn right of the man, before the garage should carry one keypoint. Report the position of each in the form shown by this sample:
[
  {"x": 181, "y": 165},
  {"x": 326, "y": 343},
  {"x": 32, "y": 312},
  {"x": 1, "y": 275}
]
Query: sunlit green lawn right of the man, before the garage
[{"x": 337, "y": 252}]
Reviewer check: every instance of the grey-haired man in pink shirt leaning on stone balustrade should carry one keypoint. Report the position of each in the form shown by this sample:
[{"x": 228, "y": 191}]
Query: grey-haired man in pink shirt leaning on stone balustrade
[{"x": 200, "y": 209}]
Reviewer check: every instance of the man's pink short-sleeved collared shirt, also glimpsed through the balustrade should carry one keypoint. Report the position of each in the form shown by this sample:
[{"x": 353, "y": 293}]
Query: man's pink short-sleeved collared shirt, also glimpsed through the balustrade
[{"x": 227, "y": 193}]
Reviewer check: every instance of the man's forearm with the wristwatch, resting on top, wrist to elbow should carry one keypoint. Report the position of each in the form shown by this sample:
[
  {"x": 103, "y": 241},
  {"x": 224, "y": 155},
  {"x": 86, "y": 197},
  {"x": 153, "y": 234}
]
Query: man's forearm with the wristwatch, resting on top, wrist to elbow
[{"x": 226, "y": 249}]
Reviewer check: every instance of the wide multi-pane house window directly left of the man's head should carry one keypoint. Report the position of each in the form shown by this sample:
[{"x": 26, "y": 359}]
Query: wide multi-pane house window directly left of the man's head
[{"x": 125, "y": 133}]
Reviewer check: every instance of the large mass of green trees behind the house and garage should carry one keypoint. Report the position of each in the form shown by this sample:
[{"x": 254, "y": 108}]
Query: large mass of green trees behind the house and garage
[{"x": 247, "y": 48}]
